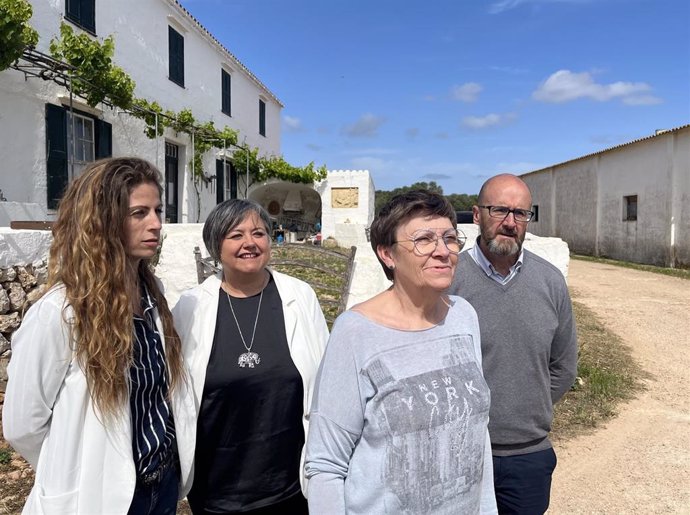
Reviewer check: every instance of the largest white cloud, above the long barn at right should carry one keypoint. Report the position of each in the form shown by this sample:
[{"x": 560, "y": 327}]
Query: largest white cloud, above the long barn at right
[{"x": 566, "y": 86}]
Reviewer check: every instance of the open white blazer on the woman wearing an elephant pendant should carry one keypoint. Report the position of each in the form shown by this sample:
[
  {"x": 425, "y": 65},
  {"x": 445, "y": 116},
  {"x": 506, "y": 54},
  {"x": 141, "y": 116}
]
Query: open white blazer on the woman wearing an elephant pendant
[{"x": 305, "y": 327}]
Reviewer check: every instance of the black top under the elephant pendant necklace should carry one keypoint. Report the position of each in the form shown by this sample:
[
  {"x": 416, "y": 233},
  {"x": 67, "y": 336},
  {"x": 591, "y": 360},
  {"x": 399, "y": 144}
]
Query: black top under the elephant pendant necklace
[{"x": 249, "y": 433}]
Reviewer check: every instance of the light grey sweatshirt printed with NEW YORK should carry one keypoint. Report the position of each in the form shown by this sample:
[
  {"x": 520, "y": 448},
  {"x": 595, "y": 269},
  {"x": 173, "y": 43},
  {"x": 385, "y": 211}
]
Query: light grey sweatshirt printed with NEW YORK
[{"x": 399, "y": 420}]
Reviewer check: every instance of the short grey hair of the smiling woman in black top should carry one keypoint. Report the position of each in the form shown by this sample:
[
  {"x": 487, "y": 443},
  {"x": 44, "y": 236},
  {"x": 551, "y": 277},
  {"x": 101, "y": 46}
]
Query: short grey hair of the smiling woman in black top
[{"x": 225, "y": 217}]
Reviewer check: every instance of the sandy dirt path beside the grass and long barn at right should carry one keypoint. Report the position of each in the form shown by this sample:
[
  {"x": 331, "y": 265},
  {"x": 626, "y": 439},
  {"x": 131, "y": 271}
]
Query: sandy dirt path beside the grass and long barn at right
[{"x": 640, "y": 462}]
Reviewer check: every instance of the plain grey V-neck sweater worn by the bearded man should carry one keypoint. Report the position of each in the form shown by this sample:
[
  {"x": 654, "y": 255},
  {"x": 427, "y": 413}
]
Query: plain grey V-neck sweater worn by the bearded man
[{"x": 529, "y": 348}]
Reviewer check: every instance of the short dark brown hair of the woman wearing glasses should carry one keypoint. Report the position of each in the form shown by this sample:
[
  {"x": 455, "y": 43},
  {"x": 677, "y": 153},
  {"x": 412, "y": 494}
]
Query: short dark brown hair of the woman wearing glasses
[{"x": 402, "y": 208}]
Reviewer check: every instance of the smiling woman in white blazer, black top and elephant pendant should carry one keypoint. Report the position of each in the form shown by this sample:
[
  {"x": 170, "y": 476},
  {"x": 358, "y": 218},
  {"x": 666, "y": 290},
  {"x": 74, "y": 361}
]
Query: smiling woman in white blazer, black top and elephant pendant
[{"x": 253, "y": 338}]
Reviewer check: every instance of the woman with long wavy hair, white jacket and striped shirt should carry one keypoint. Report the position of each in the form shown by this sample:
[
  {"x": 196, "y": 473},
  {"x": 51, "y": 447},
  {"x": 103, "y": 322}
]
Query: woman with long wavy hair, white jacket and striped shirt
[{"x": 98, "y": 399}]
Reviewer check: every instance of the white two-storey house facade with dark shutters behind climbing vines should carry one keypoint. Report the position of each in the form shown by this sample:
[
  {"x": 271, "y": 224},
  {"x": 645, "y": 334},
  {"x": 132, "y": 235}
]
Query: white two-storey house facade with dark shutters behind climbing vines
[{"x": 48, "y": 137}]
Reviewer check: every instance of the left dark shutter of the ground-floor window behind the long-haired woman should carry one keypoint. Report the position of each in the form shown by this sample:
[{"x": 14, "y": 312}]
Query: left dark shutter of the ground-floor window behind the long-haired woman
[{"x": 56, "y": 153}]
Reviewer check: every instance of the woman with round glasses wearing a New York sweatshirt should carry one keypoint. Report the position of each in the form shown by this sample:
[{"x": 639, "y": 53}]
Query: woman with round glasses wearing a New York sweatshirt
[{"x": 400, "y": 411}]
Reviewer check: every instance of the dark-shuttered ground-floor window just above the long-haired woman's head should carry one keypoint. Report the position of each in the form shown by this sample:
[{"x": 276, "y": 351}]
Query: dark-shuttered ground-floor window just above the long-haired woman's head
[{"x": 73, "y": 139}]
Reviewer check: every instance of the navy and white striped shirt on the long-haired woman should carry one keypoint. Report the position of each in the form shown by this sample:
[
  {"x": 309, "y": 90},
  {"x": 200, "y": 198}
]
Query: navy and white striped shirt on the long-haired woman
[{"x": 153, "y": 427}]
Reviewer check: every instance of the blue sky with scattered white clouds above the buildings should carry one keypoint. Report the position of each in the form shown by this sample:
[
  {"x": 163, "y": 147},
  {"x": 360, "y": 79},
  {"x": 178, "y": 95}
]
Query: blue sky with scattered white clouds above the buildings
[{"x": 456, "y": 91}]
